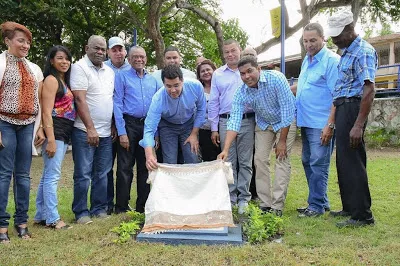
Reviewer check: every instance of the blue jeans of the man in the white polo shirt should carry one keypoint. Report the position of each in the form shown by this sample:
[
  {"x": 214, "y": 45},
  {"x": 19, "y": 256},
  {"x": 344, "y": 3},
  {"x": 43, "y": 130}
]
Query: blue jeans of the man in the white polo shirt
[{"x": 91, "y": 165}]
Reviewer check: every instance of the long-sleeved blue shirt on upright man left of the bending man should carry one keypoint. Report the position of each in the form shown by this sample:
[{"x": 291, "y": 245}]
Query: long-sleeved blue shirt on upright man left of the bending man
[{"x": 132, "y": 96}]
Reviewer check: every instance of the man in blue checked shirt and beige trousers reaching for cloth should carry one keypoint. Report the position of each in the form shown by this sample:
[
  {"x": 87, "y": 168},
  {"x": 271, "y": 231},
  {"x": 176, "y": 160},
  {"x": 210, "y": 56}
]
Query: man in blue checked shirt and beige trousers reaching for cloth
[{"x": 269, "y": 95}]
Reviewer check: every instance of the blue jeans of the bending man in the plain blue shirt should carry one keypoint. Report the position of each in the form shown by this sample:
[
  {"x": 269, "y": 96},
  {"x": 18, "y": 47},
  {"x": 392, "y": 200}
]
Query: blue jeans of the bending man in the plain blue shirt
[{"x": 172, "y": 135}]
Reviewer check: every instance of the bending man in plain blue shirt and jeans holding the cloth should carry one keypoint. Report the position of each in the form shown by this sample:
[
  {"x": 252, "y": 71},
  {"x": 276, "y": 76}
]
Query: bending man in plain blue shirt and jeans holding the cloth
[{"x": 178, "y": 111}]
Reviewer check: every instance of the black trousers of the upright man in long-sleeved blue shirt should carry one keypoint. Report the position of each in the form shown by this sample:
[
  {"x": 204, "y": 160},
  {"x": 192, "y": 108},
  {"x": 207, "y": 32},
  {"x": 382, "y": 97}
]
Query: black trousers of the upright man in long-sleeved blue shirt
[{"x": 125, "y": 163}]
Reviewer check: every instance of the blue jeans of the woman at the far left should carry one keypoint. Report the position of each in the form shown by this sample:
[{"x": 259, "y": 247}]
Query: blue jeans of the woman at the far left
[{"x": 15, "y": 160}]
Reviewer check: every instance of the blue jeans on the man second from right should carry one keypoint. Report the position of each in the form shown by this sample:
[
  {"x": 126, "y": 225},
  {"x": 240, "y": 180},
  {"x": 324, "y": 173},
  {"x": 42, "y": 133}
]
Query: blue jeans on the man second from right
[{"x": 316, "y": 160}]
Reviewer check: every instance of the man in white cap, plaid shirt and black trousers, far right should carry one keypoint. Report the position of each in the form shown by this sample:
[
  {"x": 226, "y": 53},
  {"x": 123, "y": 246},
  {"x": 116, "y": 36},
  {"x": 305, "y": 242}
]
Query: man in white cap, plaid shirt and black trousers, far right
[{"x": 353, "y": 97}]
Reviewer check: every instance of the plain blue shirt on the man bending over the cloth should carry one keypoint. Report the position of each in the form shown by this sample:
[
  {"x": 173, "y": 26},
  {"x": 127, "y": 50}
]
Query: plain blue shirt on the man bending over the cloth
[{"x": 191, "y": 103}]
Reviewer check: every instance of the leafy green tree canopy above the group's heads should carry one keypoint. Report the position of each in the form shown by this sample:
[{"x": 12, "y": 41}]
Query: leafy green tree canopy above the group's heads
[{"x": 194, "y": 26}]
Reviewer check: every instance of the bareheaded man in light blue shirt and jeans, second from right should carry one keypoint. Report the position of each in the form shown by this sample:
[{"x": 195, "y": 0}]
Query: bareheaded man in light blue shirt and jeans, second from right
[{"x": 315, "y": 116}]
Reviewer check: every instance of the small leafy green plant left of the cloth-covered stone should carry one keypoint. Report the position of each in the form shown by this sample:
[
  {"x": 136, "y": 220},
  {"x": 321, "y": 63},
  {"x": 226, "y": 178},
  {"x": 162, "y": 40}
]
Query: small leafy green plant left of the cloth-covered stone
[{"x": 127, "y": 229}]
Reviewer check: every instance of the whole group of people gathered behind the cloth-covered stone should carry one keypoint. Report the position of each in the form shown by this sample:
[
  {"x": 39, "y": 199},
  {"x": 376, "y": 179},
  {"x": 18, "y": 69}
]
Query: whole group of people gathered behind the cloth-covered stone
[{"x": 116, "y": 109}]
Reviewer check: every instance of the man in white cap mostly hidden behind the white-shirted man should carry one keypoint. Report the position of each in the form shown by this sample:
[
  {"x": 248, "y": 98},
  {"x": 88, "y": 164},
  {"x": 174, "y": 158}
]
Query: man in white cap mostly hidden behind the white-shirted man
[{"x": 116, "y": 54}]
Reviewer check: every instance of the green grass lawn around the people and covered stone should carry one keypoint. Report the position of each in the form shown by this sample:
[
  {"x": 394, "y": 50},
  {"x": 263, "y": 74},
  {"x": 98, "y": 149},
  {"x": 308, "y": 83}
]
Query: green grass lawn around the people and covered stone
[{"x": 306, "y": 241}]
